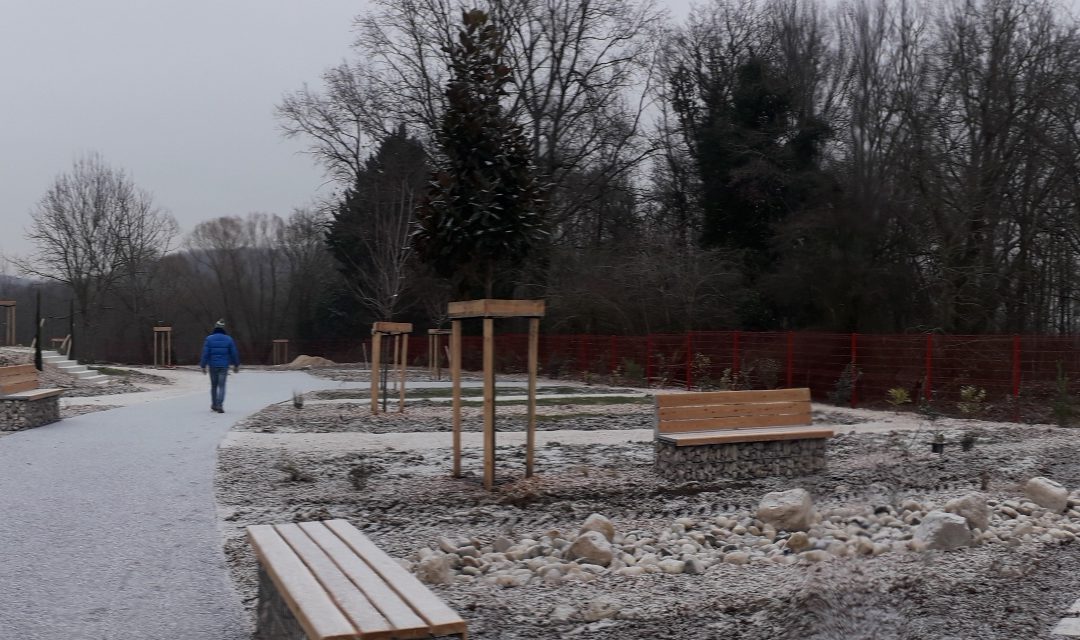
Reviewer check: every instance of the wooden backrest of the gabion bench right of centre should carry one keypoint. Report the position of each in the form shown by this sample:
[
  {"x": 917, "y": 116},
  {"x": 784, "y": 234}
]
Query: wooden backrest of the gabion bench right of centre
[{"x": 680, "y": 413}]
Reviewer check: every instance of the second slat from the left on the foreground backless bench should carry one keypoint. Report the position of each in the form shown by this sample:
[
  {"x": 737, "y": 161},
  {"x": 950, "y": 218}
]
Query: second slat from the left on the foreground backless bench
[{"x": 370, "y": 624}]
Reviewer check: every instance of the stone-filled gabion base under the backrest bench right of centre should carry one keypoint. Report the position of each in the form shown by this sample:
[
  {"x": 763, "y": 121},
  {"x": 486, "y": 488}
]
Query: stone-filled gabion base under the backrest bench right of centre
[{"x": 740, "y": 460}]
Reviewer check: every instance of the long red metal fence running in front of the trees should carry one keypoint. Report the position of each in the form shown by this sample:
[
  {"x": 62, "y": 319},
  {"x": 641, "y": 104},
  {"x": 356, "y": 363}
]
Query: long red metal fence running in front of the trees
[{"x": 927, "y": 366}]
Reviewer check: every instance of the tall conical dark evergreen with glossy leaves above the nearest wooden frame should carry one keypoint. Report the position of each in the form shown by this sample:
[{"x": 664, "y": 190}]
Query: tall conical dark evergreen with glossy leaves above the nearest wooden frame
[{"x": 482, "y": 213}]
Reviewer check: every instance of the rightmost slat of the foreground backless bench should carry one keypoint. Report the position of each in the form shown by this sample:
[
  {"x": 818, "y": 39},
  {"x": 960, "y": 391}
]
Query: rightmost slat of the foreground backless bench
[{"x": 441, "y": 619}]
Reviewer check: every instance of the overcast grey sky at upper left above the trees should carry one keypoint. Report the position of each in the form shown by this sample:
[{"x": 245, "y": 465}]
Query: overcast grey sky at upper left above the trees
[{"x": 180, "y": 94}]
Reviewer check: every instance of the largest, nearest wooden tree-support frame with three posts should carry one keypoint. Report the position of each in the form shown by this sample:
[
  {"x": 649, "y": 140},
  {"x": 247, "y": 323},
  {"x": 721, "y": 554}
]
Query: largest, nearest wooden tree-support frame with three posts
[{"x": 489, "y": 311}]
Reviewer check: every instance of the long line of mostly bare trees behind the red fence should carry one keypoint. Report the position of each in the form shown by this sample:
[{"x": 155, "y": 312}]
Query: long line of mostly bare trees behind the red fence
[{"x": 882, "y": 166}]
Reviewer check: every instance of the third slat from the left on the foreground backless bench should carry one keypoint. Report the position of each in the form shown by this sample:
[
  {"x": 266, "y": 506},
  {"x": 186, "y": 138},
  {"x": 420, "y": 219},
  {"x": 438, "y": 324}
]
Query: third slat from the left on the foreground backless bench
[{"x": 379, "y": 593}]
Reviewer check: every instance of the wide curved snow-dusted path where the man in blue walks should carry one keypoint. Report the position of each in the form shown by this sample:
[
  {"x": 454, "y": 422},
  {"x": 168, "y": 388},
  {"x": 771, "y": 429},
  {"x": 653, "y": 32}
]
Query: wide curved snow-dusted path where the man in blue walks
[{"x": 107, "y": 521}]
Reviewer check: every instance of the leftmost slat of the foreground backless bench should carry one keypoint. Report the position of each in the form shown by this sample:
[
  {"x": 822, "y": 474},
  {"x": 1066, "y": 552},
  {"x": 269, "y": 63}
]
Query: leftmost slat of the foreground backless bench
[{"x": 314, "y": 608}]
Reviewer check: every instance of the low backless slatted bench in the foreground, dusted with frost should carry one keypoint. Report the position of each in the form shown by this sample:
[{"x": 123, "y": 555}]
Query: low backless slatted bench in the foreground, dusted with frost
[{"x": 327, "y": 580}]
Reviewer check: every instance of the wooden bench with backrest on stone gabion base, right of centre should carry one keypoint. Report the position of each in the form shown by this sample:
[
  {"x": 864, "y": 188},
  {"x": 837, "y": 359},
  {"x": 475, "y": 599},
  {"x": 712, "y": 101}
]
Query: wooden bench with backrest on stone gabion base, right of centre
[{"x": 737, "y": 434}]
